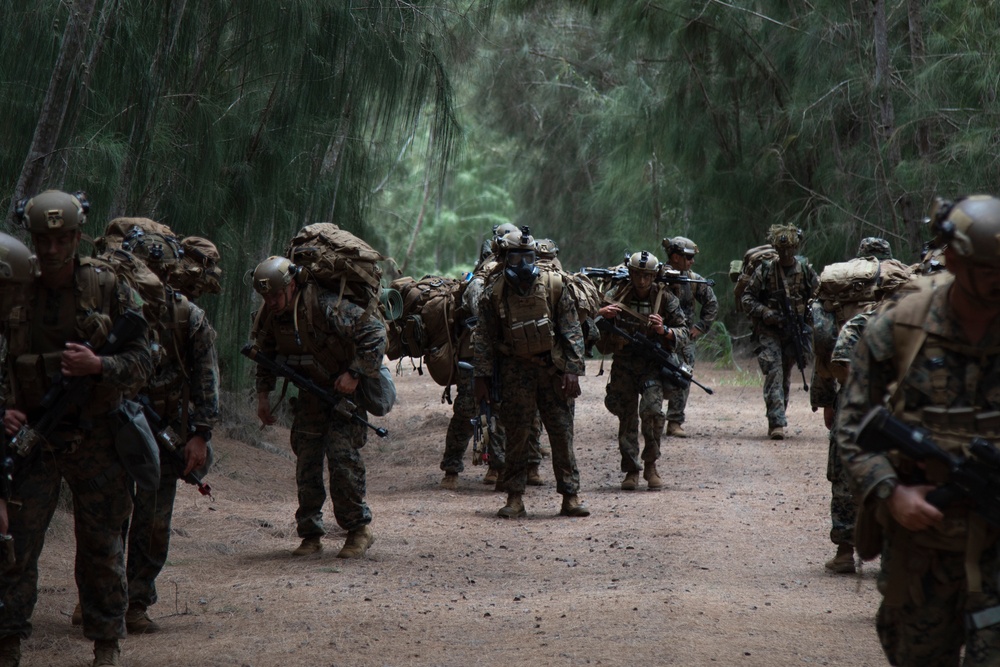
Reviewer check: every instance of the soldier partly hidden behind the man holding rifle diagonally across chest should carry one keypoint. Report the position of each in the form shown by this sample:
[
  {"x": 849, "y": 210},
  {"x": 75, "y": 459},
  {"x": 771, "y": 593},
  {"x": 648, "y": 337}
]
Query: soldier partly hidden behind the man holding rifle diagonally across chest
[{"x": 681, "y": 253}]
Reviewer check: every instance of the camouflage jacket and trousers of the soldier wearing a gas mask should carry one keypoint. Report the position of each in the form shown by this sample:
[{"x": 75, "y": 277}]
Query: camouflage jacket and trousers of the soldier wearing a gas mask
[{"x": 530, "y": 384}]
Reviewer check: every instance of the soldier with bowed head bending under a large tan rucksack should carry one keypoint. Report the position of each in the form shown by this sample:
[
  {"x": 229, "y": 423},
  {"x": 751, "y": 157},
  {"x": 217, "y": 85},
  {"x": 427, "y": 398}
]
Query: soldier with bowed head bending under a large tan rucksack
[{"x": 343, "y": 343}]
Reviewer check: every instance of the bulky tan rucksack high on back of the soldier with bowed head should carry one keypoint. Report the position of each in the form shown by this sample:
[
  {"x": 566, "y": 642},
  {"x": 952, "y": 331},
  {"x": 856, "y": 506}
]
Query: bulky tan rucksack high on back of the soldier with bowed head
[{"x": 339, "y": 261}]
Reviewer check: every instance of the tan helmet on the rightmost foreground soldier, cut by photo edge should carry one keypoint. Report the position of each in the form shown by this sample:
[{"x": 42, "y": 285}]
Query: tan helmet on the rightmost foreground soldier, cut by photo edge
[{"x": 970, "y": 227}]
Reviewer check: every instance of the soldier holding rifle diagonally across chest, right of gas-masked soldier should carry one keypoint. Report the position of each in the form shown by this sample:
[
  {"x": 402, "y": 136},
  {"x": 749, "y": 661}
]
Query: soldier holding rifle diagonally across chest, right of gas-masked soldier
[{"x": 642, "y": 306}]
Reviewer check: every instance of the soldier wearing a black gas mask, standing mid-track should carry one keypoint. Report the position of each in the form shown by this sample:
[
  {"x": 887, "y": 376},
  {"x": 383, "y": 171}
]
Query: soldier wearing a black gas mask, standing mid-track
[{"x": 530, "y": 331}]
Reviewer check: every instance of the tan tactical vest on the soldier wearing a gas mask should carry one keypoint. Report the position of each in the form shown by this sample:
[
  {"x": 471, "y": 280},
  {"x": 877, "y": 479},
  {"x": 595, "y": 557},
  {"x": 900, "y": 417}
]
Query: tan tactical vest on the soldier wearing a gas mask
[{"x": 526, "y": 326}]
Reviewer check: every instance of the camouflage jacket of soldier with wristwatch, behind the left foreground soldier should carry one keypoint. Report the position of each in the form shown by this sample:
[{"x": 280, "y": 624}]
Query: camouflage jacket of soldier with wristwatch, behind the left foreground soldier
[{"x": 189, "y": 365}]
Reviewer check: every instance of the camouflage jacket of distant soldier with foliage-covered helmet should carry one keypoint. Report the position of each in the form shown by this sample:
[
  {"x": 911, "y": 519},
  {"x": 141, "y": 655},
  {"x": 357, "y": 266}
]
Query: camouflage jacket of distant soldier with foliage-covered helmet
[{"x": 763, "y": 293}]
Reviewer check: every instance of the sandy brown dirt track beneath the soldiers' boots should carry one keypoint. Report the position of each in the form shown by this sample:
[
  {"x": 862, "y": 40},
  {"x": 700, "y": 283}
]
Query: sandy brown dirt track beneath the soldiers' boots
[{"x": 724, "y": 566}]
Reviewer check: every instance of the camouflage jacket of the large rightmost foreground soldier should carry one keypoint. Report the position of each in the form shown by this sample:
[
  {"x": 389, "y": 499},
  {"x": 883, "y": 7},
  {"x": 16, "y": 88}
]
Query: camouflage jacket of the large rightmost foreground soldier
[{"x": 947, "y": 372}]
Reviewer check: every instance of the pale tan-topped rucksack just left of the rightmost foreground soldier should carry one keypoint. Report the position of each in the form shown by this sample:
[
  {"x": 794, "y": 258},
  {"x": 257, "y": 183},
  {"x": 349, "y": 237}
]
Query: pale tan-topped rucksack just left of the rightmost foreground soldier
[{"x": 848, "y": 288}]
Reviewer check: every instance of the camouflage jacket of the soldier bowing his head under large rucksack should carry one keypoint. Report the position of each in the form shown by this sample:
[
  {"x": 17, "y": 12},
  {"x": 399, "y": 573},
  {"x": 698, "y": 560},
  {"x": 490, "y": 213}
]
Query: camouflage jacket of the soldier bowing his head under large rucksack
[{"x": 358, "y": 337}]
